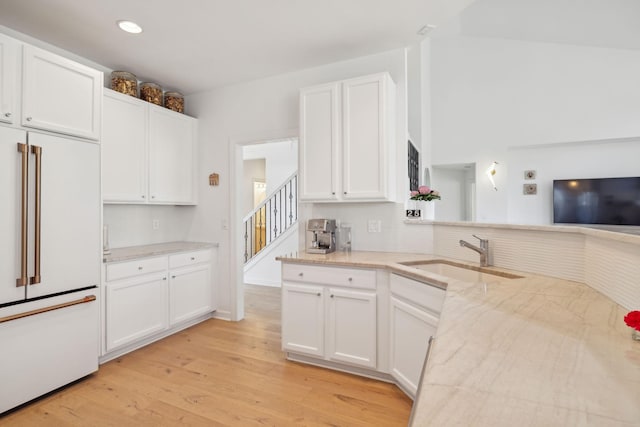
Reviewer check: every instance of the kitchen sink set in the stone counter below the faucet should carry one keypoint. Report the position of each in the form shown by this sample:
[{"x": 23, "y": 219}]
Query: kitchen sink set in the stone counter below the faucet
[{"x": 467, "y": 273}]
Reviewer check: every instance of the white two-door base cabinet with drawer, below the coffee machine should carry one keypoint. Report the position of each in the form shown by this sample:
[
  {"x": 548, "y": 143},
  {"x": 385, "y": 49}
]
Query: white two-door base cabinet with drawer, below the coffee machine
[{"x": 330, "y": 313}]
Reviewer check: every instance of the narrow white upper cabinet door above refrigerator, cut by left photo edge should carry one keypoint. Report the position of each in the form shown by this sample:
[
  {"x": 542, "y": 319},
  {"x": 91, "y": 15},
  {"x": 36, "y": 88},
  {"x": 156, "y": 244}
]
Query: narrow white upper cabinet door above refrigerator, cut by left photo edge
[{"x": 8, "y": 78}]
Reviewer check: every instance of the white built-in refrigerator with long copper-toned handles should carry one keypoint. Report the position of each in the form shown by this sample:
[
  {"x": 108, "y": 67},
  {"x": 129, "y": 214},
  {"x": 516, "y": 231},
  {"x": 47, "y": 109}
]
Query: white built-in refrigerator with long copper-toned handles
[{"x": 50, "y": 256}]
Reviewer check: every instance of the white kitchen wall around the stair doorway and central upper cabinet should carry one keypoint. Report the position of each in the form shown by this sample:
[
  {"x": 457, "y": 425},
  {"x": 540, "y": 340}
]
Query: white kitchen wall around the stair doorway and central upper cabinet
[{"x": 257, "y": 111}]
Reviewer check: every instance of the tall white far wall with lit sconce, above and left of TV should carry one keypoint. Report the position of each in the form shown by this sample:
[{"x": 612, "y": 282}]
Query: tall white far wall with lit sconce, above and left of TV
[{"x": 491, "y": 96}]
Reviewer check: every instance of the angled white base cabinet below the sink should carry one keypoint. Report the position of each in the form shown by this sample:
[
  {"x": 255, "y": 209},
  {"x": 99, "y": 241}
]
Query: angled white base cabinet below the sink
[{"x": 414, "y": 313}]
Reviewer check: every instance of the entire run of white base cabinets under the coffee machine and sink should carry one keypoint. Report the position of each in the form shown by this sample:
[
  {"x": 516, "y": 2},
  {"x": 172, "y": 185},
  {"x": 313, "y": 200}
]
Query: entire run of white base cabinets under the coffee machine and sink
[{"x": 367, "y": 322}]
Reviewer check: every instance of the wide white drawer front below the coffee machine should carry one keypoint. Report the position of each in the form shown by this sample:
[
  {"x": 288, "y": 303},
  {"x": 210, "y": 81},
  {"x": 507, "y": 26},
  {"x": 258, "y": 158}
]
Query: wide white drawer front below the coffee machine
[{"x": 336, "y": 276}]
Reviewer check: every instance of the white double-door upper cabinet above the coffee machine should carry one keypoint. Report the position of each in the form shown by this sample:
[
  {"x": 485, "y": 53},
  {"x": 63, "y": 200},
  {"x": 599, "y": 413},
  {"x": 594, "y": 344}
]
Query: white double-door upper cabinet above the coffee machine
[{"x": 347, "y": 140}]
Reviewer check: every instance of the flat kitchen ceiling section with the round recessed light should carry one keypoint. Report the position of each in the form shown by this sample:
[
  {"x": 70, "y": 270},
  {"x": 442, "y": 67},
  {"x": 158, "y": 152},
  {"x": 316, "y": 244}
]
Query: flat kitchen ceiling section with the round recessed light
[{"x": 195, "y": 45}]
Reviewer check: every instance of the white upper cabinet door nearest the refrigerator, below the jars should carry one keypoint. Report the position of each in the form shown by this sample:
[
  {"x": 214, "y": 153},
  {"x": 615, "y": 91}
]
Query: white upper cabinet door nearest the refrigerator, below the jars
[{"x": 124, "y": 149}]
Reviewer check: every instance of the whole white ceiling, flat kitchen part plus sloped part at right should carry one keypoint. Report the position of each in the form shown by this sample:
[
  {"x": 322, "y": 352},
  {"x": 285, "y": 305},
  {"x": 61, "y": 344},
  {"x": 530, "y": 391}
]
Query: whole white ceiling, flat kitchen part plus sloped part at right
[{"x": 196, "y": 45}]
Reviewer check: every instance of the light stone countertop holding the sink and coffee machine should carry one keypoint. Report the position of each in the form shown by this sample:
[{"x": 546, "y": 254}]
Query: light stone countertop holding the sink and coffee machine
[{"x": 534, "y": 351}]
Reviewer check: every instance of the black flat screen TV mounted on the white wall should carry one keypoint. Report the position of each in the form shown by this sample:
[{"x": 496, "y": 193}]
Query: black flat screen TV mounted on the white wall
[{"x": 611, "y": 201}]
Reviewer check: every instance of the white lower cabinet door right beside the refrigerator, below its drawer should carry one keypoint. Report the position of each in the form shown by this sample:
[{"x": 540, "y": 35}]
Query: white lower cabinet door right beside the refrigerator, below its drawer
[{"x": 136, "y": 308}]
